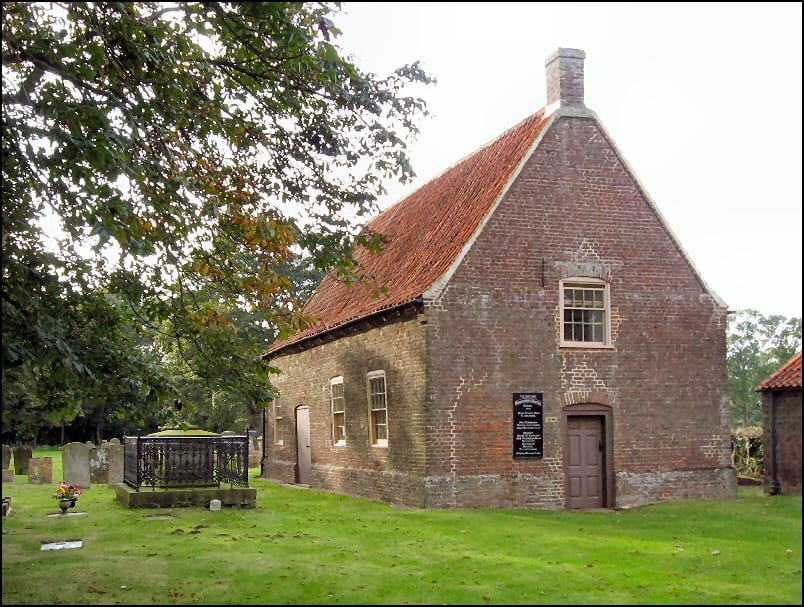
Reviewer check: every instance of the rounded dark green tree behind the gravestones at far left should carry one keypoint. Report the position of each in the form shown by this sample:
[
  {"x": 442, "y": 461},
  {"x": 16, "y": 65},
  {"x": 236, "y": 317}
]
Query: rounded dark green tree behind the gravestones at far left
[{"x": 117, "y": 375}]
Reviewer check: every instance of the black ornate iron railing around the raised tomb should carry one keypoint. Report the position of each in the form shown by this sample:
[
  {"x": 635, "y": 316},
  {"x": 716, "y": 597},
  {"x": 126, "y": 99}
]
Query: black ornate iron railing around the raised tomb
[{"x": 185, "y": 461}]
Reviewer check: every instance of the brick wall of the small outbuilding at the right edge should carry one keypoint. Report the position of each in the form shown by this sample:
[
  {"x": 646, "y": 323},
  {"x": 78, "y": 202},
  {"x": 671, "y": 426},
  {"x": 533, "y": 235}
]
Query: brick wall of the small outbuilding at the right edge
[{"x": 788, "y": 441}]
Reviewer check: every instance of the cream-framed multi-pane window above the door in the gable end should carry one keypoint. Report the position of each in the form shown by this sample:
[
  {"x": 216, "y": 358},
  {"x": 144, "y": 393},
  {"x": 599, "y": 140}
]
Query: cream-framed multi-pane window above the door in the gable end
[{"x": 585, "y": 313}]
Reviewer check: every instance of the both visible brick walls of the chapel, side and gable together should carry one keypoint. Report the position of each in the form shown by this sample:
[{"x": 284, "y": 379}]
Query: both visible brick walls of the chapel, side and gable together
[{"x": 494, "y": 330}]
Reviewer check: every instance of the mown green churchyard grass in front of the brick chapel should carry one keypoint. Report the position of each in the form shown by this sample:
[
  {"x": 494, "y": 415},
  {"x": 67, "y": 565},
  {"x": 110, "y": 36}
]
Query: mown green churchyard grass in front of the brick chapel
[{"x": 302, "y": 546}]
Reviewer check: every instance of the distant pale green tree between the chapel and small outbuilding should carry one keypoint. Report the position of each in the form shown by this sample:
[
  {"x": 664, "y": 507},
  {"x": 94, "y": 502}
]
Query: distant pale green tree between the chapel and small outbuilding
[{"x": 757, "y": 345}]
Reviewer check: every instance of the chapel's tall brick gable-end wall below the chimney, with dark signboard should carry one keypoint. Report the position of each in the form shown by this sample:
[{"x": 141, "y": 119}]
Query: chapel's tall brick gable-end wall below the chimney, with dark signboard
[{"x": 494, "y": 330}]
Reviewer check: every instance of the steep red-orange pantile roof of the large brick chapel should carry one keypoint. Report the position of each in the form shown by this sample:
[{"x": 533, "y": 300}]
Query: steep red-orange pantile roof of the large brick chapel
[{"x": 427, "y": 232}]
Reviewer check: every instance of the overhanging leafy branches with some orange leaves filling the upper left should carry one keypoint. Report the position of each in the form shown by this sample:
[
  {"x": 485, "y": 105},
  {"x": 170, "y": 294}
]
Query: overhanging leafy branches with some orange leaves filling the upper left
[{"x": 185, "y": 152}]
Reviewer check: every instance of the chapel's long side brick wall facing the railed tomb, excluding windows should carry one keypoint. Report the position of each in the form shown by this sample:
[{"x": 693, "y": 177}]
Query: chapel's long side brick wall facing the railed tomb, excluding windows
[{"x": 394, "y": 474}]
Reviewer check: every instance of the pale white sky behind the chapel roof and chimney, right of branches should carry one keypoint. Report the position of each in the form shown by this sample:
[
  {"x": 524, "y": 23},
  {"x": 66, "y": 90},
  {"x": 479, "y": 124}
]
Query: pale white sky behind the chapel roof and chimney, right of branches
[{"x": 702, "y": 99}]
